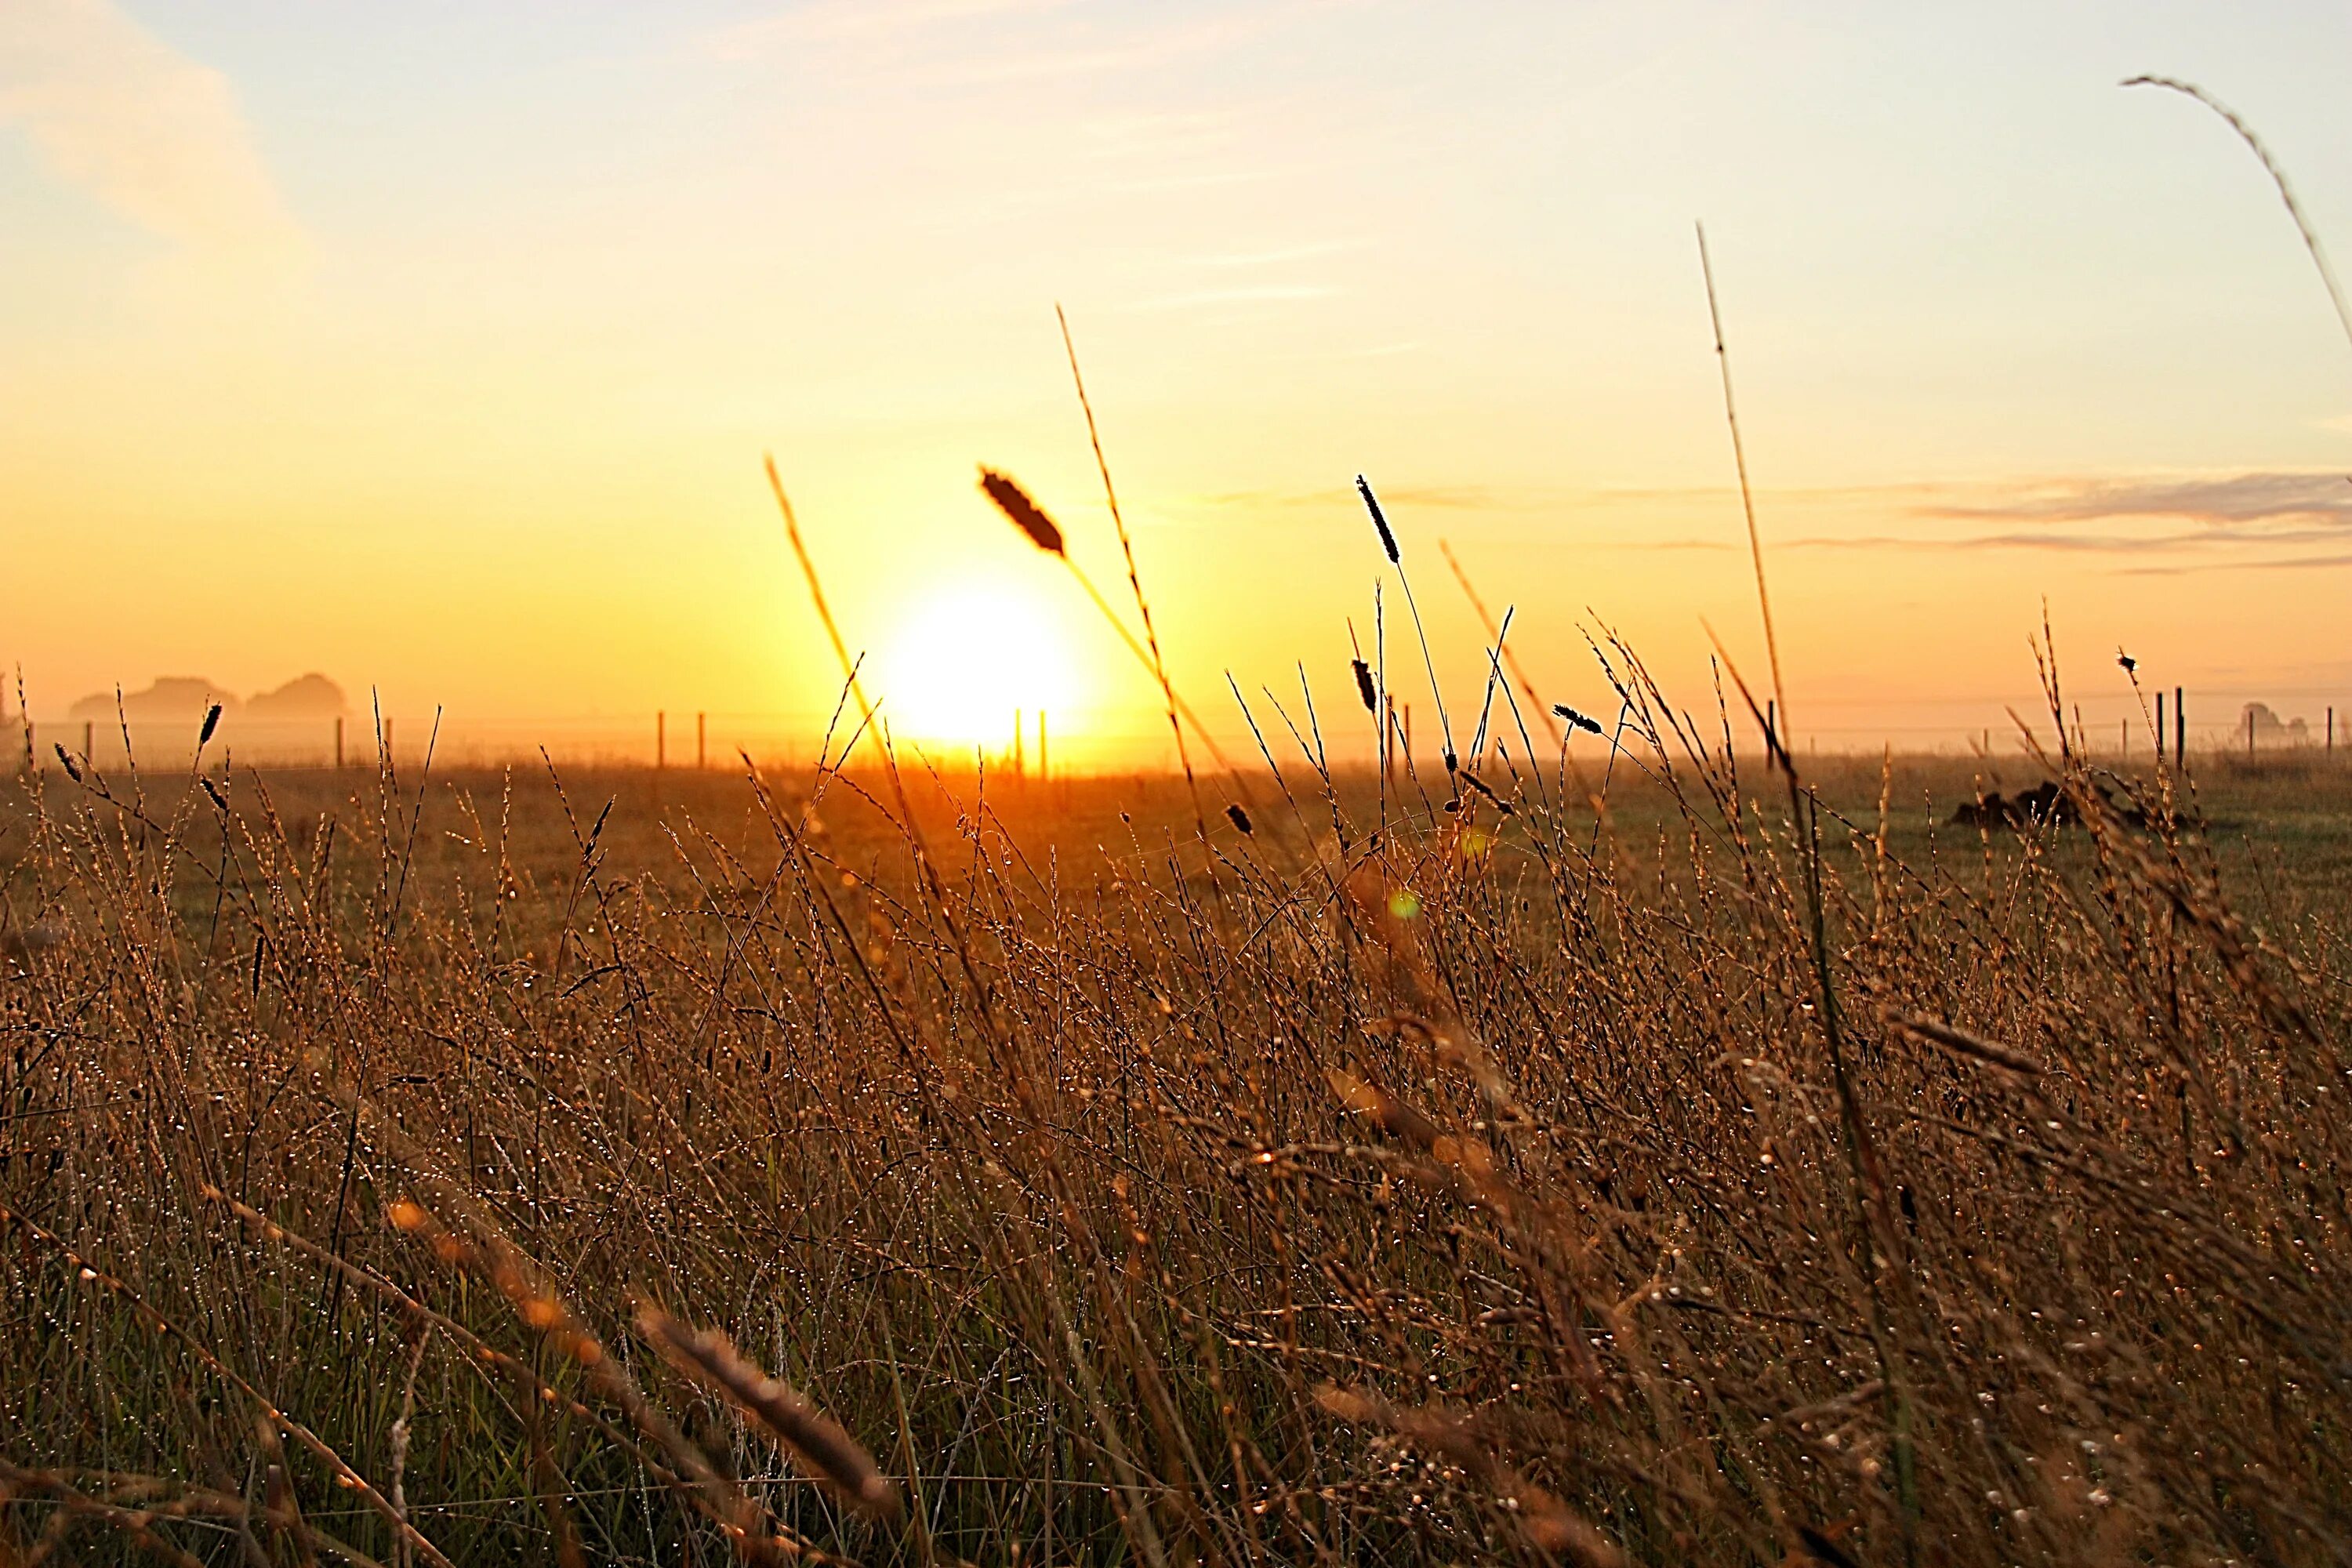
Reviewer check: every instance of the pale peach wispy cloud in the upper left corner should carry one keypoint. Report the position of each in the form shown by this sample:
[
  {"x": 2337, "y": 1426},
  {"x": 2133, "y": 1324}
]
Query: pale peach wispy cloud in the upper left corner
[{"x": 147, "y": 130}]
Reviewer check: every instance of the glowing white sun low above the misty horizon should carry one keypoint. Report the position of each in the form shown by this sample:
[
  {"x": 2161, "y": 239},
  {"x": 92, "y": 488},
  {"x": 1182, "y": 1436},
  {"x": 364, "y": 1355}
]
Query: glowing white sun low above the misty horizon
[{"x": 970, "y": 657}]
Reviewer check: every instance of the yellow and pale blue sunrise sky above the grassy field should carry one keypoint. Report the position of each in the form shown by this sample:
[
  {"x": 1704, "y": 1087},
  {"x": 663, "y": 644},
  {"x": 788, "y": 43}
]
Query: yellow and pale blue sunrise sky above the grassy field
[{"x": 436, "y": 347}]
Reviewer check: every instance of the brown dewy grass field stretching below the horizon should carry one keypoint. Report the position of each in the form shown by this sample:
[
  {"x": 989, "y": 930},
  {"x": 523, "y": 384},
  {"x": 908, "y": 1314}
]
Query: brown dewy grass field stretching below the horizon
[{"x": 1629, "y": 1162}]
